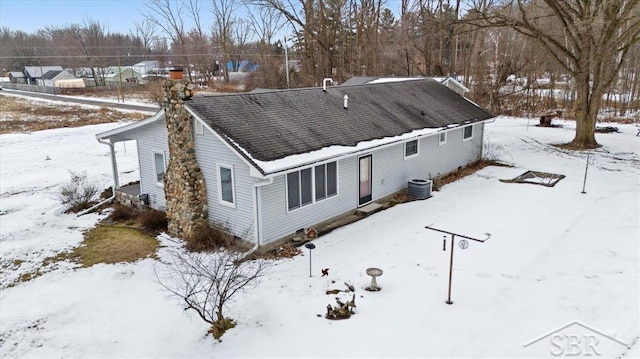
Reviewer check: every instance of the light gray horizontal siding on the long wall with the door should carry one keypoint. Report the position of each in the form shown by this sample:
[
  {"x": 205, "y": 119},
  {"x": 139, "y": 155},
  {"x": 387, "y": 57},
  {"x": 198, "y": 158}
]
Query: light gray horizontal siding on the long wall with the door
[{"x": 391, "y": 173}]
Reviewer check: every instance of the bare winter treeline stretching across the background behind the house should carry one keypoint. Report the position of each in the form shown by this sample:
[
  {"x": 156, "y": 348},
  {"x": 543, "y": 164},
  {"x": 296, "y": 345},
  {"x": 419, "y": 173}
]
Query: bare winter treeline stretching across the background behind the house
[{"x": 505, "y": 67}]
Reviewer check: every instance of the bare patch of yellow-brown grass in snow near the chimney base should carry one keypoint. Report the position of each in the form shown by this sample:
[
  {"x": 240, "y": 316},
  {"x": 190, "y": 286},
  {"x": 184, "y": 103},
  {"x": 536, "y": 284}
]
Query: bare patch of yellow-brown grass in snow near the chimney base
[{"x": 113, "y": 244}]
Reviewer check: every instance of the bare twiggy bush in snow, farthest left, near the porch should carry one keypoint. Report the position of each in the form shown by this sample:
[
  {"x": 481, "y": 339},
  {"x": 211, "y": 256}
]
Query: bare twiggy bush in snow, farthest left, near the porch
[{"x": 79, "y": 193}]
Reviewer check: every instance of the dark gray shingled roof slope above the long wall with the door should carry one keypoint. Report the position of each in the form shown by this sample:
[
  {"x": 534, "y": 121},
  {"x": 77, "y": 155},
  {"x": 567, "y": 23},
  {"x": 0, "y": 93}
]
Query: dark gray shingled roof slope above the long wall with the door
[{"x": 276, "y": 124}]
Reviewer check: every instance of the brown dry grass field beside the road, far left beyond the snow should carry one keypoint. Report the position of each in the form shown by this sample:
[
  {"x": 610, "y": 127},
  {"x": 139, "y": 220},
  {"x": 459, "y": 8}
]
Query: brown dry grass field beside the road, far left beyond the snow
[{"x": 23, "y": 115}]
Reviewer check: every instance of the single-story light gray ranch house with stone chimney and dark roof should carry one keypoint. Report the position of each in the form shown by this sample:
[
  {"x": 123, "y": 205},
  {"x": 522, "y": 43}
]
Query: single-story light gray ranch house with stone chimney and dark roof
[{"x": 277, "y": 162}]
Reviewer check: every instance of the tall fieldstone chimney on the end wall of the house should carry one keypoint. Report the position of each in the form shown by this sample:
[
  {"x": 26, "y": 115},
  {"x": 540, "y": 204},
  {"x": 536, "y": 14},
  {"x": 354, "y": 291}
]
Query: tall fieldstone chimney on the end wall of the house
[{"x": 184, "y": 186}]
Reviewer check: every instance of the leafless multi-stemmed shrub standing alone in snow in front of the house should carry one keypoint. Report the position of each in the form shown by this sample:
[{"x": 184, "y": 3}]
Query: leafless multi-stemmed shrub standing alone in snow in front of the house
[{"x": 208, "y": 282}]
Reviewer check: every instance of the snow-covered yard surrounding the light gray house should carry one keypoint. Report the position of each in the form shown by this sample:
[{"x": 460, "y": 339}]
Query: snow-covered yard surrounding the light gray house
[{"x": 554, "y": 256}]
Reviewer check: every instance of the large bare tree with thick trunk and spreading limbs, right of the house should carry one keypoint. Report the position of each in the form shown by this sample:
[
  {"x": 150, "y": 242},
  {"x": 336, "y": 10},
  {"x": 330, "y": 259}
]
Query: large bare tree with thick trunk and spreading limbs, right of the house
[{"x": 592, "y": 44}]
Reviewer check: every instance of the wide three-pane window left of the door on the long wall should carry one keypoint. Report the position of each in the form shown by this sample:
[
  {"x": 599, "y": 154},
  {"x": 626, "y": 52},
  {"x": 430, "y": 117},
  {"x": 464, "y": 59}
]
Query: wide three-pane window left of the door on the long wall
[{"x": 311, "y": 184}]
